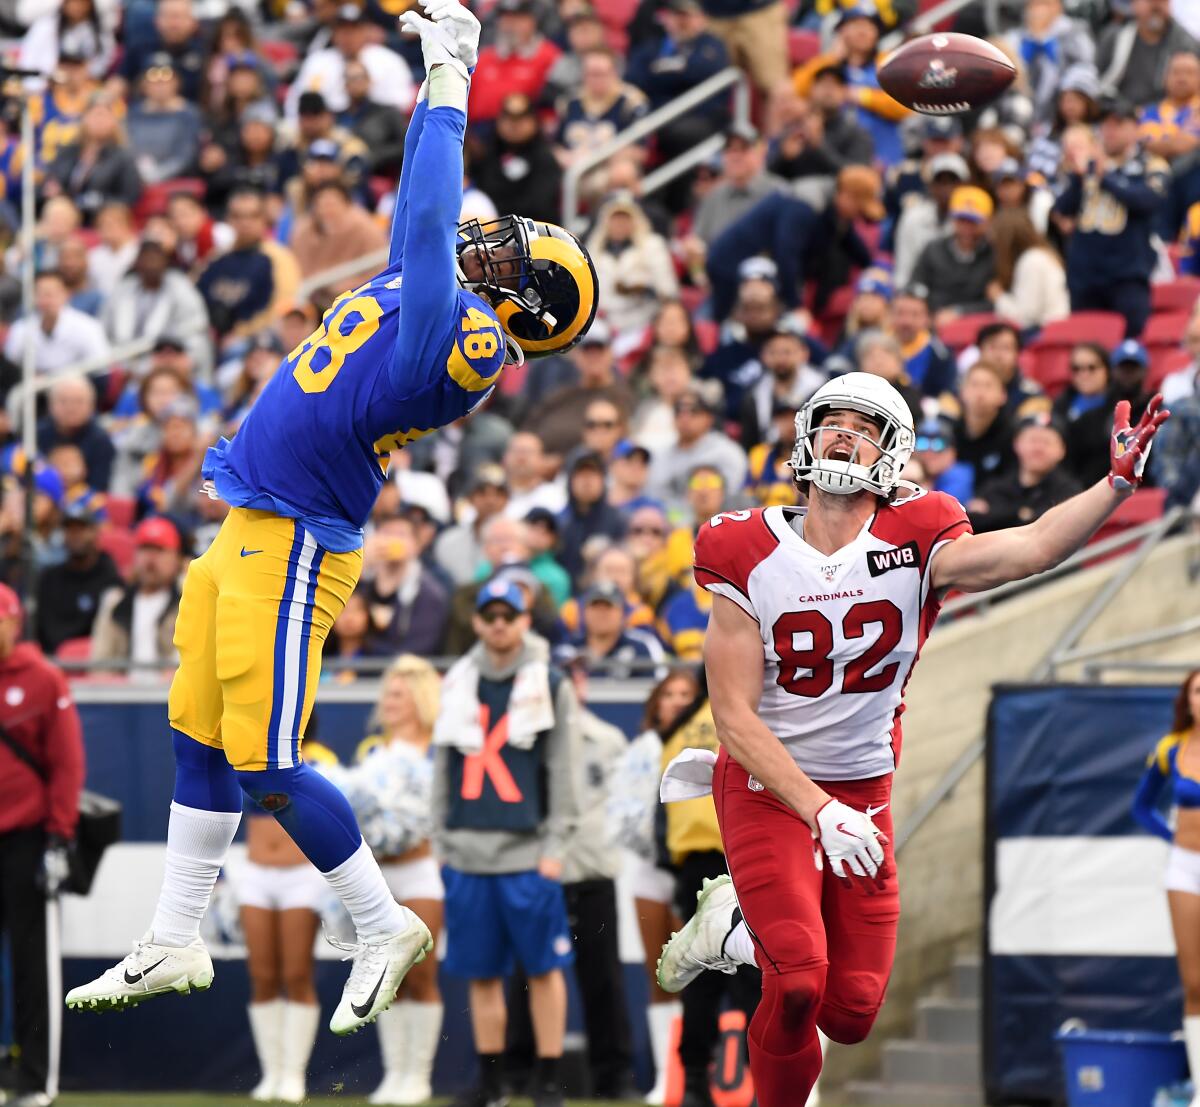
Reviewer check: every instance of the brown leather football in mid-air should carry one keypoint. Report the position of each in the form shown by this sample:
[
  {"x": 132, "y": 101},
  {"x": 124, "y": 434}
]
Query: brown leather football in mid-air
[{"x": 946, "y": 74}]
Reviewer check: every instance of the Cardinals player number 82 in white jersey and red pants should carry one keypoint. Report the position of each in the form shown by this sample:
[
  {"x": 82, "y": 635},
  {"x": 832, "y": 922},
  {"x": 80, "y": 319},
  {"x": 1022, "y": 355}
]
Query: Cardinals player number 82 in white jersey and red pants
[{"x": 818, "y": 619}]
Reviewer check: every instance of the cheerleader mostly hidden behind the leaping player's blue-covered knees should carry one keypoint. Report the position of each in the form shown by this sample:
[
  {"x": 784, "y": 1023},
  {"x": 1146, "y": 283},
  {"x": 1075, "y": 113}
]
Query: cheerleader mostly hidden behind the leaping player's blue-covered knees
[{"x": 281, "y": 895}]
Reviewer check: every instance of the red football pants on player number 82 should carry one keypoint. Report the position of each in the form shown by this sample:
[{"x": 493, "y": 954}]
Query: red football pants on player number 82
[{"x": 825, "y": 944}]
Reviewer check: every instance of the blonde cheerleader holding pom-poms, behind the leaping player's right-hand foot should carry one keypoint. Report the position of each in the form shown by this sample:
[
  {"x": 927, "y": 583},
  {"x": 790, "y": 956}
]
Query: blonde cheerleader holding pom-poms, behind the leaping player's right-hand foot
[{"x": 392, "y": 797}]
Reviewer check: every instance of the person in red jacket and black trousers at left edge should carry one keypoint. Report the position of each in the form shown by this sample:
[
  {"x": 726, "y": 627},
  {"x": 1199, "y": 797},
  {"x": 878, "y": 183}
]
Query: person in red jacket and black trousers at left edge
[{"x": 41, "y": 776}]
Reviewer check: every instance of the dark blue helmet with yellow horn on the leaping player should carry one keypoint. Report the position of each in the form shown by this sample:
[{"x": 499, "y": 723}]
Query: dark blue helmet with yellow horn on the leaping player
[{"x": 538, "y": 278}]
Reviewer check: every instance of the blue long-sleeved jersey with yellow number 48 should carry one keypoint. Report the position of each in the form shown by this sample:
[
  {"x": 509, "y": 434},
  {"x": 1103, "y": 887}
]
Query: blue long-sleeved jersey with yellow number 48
[{"x": 392, "y": 362}]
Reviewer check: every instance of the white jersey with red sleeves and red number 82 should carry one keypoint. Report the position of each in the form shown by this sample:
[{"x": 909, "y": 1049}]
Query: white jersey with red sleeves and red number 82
[{"x": 841, "y": 633}]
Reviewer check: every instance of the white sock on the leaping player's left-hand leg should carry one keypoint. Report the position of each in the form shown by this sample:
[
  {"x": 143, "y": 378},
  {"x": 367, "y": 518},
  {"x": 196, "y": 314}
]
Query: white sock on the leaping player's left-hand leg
[{"x": 197, "y": 845}]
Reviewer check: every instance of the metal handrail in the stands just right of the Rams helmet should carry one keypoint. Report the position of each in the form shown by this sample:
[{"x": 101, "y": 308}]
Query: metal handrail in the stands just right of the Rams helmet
[{"x": 729, "y": 79}]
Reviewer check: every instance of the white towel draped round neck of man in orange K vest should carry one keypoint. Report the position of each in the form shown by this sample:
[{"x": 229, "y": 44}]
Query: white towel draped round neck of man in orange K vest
[{"x": 531, "y": 707}]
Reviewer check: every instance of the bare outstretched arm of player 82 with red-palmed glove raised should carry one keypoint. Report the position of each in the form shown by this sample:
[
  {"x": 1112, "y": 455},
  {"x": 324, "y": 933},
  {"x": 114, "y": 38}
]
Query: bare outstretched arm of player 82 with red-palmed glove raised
[{"x": 976, "y": 563}]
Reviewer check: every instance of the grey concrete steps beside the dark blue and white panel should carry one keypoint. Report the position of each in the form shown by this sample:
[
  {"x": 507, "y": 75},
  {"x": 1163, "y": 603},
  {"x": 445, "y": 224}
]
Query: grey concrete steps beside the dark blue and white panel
[{"x": 940, "y": 1067}]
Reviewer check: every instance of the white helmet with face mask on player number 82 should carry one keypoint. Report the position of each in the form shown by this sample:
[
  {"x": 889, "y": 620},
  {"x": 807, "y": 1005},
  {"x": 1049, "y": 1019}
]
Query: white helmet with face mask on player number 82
[{"x": 872, "y": 397}]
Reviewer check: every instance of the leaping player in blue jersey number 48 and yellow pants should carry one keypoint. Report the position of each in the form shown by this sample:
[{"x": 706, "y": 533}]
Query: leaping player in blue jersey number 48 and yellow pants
[{"x": 417, "y": 348}]
